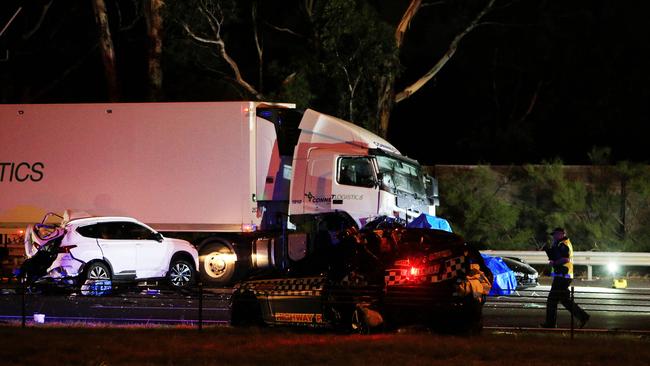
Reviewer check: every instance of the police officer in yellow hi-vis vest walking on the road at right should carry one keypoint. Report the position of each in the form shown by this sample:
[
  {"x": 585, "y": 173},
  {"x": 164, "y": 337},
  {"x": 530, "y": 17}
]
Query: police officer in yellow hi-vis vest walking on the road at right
[{"x": 560, "y": 257}]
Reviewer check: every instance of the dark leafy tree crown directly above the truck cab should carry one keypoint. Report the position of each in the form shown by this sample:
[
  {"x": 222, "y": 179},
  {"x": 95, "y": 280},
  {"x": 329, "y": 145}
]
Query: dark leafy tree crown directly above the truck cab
[{"x": 354, "y": 49}]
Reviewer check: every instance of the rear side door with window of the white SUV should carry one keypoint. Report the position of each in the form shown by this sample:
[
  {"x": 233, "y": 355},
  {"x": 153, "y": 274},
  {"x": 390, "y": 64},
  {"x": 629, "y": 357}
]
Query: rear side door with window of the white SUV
[{"x": 117, "y": 249}]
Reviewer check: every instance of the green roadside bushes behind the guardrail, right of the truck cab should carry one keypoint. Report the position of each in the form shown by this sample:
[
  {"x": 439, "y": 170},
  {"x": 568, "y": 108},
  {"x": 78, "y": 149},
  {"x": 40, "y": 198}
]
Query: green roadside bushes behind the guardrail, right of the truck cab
[{"x": 603, "y": 208}]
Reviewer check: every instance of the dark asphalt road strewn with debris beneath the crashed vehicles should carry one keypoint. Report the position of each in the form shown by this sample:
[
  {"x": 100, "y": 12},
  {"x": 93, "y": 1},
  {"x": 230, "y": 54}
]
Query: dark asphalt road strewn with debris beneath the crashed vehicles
[{"x": 610, "y": 309}]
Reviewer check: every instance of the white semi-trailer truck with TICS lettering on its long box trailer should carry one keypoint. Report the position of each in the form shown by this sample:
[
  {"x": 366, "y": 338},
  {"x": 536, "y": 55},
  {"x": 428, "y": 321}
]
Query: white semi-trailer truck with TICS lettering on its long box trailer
[{"x": 221, "y": 174}]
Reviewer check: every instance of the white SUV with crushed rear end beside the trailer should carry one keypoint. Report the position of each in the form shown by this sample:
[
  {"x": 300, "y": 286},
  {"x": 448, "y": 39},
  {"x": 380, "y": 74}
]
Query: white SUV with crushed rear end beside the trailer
[{"x": 86, "y": 251}]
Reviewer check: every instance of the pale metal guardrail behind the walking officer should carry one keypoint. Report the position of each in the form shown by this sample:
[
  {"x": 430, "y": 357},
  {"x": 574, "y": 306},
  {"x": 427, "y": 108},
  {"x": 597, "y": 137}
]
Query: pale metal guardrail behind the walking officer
[{"x": 588, "y": 259}]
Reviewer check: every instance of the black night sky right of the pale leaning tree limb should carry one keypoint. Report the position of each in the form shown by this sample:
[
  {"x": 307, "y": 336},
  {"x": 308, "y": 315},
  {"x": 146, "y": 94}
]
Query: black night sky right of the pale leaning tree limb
[{"x": 584, "y": 62}]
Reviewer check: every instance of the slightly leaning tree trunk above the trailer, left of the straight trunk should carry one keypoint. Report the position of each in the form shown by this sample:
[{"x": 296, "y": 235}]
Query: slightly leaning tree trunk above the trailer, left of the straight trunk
[{"x": 106, "y": 46}]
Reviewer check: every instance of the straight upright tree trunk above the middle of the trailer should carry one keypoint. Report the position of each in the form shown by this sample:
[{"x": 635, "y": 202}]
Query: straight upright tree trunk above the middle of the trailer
[{"x": 154, "y": 31}]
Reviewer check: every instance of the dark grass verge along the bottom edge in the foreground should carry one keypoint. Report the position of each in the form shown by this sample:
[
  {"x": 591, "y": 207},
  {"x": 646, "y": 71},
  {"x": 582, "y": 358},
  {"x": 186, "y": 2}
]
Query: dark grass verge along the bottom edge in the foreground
[{"x": 137, "y": 345}]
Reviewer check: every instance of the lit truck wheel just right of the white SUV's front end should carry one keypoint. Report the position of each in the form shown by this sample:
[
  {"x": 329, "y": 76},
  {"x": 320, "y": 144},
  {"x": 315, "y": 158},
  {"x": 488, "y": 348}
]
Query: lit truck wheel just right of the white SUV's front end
[{"x": 217, "y": 264}]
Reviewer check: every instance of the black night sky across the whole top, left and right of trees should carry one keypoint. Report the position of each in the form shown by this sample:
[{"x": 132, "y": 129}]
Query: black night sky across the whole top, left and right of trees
[{"x": 542, "y": 79}]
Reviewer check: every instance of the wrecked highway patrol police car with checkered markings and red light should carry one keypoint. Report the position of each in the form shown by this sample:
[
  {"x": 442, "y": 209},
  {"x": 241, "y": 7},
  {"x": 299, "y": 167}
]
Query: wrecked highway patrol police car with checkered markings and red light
[{"x": 331, "y": 274}]
